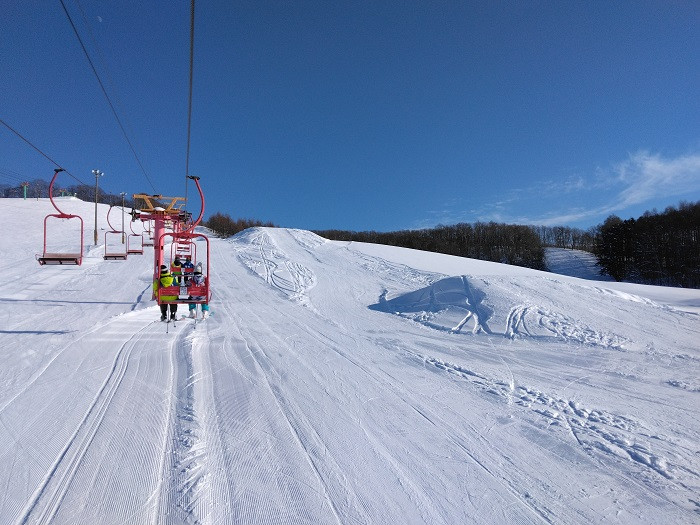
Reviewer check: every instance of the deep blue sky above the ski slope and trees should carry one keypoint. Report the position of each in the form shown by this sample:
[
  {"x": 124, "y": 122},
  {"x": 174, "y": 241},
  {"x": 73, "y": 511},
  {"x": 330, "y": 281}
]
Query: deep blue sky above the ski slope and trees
[{"x": 366, "y": 115}]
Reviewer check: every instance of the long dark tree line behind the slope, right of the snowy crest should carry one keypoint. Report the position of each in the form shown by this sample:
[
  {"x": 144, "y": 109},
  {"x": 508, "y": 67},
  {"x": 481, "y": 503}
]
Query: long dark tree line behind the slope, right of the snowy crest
[{"x": 657, "y": 248}]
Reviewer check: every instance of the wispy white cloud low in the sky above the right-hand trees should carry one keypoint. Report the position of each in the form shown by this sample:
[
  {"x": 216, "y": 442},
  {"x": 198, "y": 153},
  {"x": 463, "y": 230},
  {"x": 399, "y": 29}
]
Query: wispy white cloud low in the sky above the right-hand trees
[{"x": 642, "y": 178}]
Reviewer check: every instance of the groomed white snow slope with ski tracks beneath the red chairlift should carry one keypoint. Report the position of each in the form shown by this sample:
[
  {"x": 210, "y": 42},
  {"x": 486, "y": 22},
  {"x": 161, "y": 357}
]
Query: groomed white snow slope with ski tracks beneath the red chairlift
[{"x": 341, "y": 383}]
